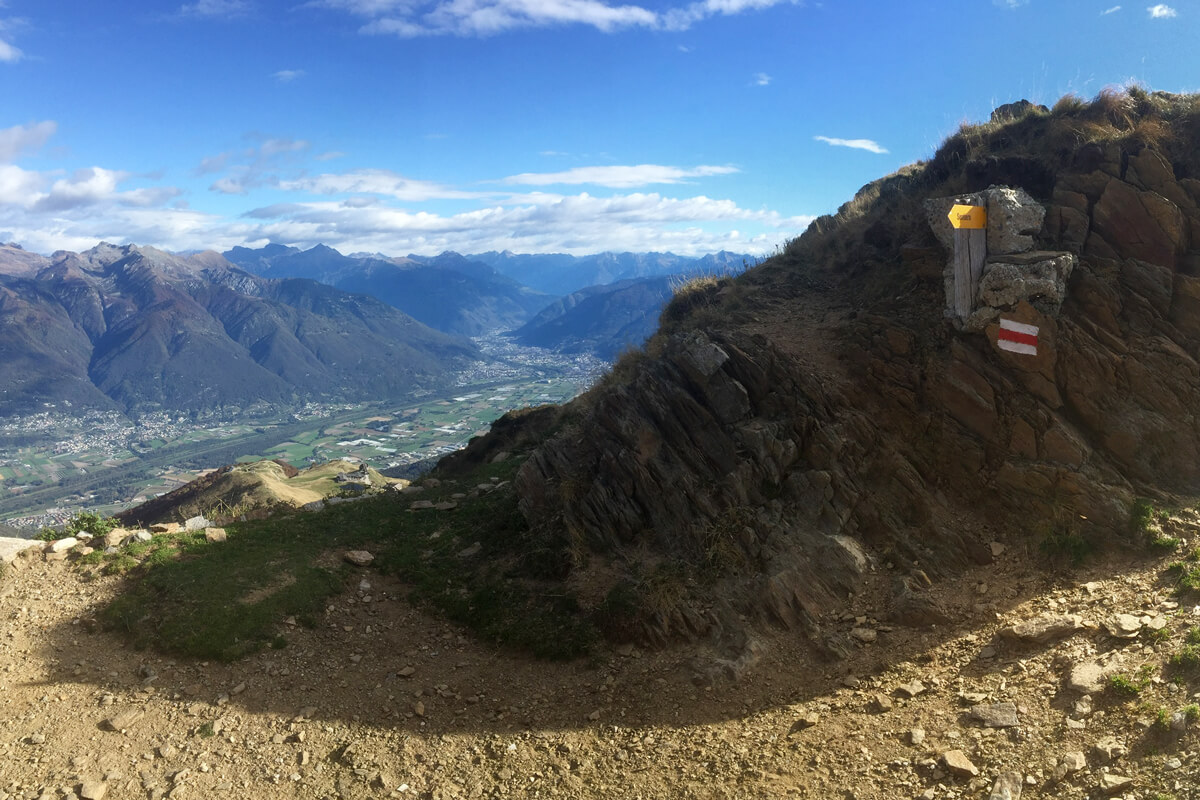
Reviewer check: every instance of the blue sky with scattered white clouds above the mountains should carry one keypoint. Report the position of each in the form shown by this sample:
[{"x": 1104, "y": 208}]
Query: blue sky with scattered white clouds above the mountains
[{"x": 418, "y": 127}]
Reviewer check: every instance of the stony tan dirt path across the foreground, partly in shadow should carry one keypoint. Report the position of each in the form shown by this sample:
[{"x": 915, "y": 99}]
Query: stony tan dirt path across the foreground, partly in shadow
[{"x": 381, "y": 700}]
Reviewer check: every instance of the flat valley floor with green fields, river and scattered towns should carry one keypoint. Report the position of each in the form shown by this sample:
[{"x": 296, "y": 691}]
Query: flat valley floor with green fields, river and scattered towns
[{"x": 382, "y": 435}]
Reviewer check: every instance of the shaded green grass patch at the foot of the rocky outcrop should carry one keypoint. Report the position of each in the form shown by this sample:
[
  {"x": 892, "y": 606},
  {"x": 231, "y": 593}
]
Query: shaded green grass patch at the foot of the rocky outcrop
[{"x": 223, "y": 601}]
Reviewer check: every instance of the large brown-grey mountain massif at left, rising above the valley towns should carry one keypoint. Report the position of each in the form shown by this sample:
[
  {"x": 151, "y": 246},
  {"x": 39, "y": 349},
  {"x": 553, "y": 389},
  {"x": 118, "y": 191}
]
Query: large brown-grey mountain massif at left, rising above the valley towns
[{"x": 139, "y": 329}]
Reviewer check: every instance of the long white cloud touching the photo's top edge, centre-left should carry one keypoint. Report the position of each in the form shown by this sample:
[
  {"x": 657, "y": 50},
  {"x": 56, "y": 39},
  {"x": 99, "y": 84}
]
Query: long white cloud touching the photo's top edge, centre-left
[{"x": 412, "y": 19}]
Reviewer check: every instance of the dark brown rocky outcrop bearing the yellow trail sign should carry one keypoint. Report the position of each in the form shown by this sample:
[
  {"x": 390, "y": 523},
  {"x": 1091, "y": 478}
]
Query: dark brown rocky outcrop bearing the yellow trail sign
[{"x": 819, "y": 424}]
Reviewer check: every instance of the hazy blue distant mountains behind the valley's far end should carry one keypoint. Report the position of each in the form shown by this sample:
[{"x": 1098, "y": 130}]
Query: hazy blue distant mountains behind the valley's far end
[{"x": 596, "y": 304}]
